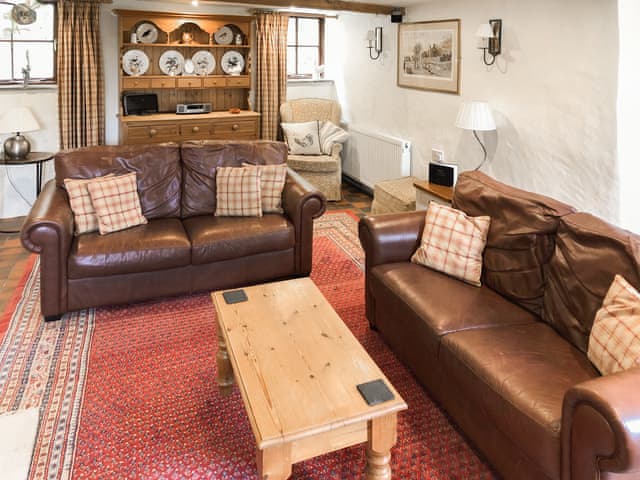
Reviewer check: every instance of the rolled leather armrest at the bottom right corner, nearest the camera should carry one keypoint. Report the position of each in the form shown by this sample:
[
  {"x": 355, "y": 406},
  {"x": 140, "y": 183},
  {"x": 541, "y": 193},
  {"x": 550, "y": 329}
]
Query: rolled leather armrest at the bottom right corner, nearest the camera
[{"x": 601, "y": 427}]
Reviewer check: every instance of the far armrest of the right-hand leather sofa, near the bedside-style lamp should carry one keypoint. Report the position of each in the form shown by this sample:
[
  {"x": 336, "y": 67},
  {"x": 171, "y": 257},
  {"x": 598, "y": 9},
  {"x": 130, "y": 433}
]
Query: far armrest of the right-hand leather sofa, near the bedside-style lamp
[{"x": 391, "y": 237}]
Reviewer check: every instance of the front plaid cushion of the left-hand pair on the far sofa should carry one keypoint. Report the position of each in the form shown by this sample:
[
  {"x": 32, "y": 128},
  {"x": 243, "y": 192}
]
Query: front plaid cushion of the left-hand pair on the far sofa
[{"x": 117, "y": 203}]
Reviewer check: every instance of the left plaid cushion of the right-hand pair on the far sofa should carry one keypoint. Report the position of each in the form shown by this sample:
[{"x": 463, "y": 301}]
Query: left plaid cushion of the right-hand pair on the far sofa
[{"x": 238, "y": 192}]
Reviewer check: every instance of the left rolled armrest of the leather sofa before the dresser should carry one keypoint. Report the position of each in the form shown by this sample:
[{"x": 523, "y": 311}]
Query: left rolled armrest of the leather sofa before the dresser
[{"x": 48, "y": 230}]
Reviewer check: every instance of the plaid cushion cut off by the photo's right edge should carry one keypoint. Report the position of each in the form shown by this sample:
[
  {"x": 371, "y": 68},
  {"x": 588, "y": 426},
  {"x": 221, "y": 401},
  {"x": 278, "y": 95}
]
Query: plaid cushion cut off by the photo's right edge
[{"x": 614, "y": 342}]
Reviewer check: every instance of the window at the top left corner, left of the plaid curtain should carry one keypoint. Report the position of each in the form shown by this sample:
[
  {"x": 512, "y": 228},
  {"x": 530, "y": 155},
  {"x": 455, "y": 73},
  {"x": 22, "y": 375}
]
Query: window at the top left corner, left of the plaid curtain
[{"x": 27, "y": 48}]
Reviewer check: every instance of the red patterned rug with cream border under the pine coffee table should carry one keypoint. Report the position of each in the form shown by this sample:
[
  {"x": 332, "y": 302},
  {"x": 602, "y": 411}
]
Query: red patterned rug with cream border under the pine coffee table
[{"x": 130, "y": 392}]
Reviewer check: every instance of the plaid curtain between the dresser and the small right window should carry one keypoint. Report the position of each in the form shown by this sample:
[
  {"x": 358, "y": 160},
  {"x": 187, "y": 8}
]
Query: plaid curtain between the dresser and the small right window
[{"x": 271, "y": 75}]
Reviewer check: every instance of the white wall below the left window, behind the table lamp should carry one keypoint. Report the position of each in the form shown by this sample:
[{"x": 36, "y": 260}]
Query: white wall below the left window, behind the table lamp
[{"x": 44, "y": 106}]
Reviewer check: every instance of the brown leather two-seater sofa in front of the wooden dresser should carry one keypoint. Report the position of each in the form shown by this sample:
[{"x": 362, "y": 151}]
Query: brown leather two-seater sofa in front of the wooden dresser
[{"x": 184, "y": 248}]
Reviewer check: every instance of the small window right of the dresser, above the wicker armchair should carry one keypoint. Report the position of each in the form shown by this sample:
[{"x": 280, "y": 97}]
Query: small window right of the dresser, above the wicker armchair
[{"x": 305, "y": 40}]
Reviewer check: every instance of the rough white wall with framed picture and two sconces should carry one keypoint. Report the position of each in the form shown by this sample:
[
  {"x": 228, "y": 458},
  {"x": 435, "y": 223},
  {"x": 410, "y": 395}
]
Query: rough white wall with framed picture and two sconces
[{"x": 552, "y": 91}]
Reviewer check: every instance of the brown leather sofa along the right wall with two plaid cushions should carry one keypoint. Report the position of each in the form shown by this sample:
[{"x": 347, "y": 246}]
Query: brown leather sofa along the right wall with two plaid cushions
[{"x": 508, "y": 360}]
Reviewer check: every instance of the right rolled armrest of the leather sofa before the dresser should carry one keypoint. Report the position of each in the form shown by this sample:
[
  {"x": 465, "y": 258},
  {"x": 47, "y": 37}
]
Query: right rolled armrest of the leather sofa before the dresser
[{"x": 302, "y": 203}]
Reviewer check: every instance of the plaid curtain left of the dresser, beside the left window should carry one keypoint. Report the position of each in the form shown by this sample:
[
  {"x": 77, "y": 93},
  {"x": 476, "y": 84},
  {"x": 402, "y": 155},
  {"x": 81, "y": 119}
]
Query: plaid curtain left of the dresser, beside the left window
[{"x": 80, "y": 76}]
